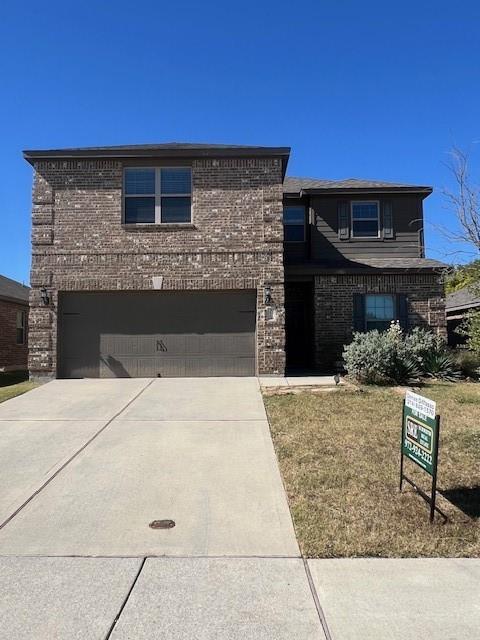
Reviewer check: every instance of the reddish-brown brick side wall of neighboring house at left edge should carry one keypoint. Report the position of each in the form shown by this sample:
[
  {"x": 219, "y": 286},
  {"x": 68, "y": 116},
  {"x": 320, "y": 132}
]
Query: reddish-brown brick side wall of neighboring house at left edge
[{"x": 12, "y": 355}]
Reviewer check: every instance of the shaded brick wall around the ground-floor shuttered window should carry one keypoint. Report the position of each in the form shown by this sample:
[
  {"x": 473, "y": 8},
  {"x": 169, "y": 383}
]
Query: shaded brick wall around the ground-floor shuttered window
[{"x": 333, "y": 302}]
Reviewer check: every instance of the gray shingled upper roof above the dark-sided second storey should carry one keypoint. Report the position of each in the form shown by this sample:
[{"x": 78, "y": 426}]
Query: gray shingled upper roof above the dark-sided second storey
[{"x": 296, "y": 186}]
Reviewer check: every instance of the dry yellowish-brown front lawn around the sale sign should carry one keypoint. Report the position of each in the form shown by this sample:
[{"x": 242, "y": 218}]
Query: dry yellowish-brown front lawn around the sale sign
[{"x": 339, "y": 456}]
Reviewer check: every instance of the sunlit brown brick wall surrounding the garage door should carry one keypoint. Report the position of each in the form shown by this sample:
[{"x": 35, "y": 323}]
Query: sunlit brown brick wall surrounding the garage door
[{"x": 80, "y": 244}]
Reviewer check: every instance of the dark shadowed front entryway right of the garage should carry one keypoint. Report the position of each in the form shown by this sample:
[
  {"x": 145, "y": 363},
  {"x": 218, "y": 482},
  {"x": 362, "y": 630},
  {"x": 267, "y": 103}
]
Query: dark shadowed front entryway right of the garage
[{"x": 299, "y": 325}]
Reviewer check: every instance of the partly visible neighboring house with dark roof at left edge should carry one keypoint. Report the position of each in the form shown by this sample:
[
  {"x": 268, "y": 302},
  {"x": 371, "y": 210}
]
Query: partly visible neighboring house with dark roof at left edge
[{"x": 13, "y": 325}]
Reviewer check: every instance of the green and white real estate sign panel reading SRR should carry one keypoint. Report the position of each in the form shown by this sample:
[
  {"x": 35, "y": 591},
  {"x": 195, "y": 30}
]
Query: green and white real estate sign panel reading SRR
[{"x": 420, "y": 431}]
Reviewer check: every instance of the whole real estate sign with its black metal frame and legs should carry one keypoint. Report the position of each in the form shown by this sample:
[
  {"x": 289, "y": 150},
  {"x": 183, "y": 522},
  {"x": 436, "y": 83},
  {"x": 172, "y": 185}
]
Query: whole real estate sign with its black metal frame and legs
[{"x": 420, "y": 437}]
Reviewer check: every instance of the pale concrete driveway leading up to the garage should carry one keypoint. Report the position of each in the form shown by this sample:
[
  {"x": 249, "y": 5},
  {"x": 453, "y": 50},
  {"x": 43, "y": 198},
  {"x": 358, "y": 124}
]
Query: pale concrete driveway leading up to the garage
[{"x": 103, "y": 459}]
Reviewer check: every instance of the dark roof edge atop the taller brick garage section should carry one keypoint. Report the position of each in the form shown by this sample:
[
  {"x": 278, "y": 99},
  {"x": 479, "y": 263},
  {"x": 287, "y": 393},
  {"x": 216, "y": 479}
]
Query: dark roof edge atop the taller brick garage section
[{"x": 164, "y": 149}]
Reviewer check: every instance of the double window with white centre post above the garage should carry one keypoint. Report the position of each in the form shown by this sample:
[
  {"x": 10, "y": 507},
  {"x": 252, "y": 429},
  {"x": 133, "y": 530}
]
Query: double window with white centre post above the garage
[{"x": 158, "y": 196}]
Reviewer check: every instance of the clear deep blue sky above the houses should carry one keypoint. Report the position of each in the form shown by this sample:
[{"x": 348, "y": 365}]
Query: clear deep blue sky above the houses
[{"x": 366, "y": 89}]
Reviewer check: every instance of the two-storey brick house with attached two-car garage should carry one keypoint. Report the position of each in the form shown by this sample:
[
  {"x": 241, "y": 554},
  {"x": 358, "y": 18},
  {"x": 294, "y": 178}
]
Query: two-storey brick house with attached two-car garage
[{"x": 196, "y": 259}]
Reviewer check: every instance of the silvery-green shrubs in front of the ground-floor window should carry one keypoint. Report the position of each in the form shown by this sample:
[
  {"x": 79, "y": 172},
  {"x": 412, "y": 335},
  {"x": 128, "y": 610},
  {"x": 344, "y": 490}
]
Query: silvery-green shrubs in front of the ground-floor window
[{"x": 389, "y": 357}]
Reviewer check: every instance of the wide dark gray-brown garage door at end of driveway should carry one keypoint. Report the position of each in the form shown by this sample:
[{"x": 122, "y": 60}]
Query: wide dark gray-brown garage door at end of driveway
[{"x": 144, "y": 334}]
